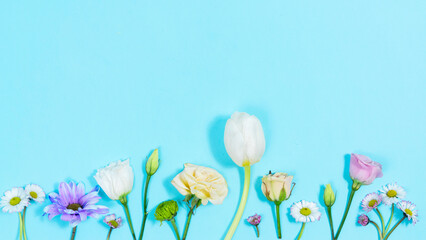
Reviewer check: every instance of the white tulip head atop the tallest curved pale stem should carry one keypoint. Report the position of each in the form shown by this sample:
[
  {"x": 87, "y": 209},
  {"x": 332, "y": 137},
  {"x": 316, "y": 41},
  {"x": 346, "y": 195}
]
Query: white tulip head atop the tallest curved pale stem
[{"x": 244, "y": 139}]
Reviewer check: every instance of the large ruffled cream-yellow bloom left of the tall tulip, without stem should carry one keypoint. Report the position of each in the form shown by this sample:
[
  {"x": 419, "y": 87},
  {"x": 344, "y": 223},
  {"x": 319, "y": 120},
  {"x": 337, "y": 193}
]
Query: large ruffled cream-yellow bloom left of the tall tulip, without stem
[{"x": 205, "y": 183}]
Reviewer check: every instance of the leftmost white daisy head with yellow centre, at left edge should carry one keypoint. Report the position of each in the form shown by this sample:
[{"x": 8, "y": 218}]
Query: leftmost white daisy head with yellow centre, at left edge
[{"x": 14, "y": 200}]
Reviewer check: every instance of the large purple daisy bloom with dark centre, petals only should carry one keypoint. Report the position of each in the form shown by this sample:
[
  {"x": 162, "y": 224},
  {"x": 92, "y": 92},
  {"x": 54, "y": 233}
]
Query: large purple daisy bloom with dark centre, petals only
[{"x": 73, "y": 204}]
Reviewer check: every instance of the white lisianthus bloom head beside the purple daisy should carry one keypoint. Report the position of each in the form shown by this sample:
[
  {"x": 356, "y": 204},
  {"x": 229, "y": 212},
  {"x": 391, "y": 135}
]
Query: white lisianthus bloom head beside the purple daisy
[{"x": 116, "y": 180}]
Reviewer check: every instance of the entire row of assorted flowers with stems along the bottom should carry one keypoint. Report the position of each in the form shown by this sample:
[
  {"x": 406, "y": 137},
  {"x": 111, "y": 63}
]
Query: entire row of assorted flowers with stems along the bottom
[{"x": 245, "y": 143}]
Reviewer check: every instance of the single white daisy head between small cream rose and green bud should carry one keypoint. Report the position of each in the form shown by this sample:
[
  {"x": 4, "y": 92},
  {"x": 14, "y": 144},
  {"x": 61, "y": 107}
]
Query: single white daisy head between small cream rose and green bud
[{"x": 304, "y": 211}]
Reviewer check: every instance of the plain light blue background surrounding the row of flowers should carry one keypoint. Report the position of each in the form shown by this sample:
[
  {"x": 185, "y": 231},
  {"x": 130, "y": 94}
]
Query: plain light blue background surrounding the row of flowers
[{"x": 84, "y": 83}]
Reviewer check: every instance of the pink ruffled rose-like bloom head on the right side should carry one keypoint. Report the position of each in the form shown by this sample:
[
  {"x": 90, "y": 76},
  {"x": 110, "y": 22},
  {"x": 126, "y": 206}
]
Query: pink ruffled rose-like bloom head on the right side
[{"x": 363, "y": 169}]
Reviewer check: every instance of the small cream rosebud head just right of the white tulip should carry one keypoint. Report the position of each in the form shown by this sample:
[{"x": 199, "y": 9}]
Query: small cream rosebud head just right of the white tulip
[{"x": 277, "y": 187}]
